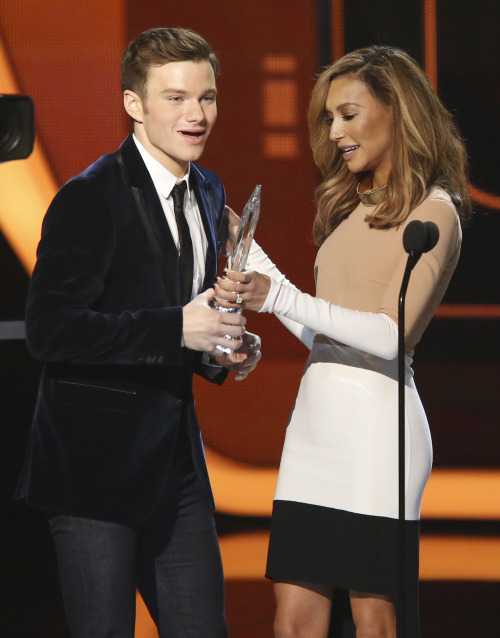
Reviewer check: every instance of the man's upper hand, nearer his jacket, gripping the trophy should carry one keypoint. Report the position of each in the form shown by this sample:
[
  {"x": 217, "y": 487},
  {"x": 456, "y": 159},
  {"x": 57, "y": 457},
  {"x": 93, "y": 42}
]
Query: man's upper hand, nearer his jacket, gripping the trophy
[{"x": 205, "y": 328}]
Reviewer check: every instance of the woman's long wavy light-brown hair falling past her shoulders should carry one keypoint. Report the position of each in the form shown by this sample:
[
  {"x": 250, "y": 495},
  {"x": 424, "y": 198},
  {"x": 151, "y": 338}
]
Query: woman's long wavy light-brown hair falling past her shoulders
[{"x": 427, "y": 149}]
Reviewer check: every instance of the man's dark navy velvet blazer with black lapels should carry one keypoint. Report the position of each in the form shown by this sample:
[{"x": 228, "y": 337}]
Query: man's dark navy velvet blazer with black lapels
[{"x": 104, "y": 314}]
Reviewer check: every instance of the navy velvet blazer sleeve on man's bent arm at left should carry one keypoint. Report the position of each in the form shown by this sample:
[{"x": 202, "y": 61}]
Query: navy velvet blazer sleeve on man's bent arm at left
[{"x": 64, "y": 322}]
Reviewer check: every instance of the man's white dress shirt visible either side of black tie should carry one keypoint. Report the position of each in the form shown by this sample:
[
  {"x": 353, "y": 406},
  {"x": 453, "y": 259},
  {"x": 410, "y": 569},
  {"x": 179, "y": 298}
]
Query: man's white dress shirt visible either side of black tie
[{"x": 164, "y": 182}]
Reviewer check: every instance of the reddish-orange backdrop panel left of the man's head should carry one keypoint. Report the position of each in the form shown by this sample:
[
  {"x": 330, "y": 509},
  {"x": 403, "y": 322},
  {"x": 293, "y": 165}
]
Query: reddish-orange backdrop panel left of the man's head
[{"x": 66, "y": 57}]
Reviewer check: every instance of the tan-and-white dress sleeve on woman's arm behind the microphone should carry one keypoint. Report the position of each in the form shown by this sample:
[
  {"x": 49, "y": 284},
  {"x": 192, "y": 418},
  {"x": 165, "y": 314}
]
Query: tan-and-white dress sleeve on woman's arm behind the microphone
[{"x": 374, "y": 332}]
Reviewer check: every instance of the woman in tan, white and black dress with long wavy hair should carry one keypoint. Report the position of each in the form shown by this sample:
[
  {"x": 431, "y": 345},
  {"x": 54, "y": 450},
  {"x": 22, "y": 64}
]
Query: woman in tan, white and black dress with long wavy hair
[{"x": 389, "y": 154}]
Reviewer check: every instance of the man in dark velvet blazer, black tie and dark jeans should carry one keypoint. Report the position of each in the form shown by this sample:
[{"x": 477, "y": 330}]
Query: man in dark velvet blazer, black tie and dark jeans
[{"x": 115, "y": 455}]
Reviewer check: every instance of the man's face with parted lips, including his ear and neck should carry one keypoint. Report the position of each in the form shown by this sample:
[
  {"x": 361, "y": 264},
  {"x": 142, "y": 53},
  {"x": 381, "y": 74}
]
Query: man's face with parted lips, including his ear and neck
[{"x": 174, "y": 121}]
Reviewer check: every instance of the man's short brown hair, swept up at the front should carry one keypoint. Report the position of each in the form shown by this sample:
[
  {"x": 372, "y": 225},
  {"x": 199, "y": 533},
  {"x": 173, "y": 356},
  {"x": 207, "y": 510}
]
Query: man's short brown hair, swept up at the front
[{"x": 158, "y": 46}]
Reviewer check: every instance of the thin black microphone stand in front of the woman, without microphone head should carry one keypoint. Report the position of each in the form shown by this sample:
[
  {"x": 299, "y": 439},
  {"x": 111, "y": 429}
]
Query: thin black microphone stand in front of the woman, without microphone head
[{"x": 413, "y": 257}]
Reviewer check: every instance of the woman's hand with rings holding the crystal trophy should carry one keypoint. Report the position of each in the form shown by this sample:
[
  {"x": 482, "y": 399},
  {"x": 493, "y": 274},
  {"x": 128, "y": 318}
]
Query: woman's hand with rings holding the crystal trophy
[{"x": 242, "y": 290}]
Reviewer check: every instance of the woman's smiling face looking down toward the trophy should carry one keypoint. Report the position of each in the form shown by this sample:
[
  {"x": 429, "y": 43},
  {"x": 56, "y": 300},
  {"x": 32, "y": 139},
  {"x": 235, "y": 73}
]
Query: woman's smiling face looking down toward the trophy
[{"x": 361, "y": 127}]
